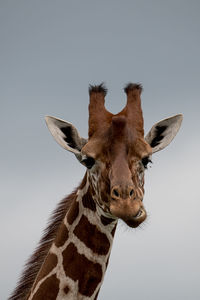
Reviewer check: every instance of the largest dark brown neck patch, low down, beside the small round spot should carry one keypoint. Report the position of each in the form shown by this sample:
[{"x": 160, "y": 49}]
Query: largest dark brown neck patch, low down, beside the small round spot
[{"x": 79, "y": 268}]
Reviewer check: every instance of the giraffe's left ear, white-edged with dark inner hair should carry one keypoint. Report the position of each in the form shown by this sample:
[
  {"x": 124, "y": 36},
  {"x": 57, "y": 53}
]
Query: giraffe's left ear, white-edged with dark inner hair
[{"x": 66, "y": 135}]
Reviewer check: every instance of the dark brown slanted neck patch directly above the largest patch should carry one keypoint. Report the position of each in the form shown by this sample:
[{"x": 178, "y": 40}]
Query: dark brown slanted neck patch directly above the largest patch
[{"x": 92, "y": 237}]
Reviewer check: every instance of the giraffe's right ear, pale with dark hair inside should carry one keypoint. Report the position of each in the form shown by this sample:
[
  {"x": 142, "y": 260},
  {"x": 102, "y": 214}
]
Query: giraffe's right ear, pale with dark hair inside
[{"x": 163, "y": 132}]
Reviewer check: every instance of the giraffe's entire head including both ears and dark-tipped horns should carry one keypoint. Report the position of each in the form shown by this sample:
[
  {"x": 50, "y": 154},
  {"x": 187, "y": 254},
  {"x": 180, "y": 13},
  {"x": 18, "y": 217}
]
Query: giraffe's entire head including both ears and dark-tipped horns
[{"x": 116, "y": 152}]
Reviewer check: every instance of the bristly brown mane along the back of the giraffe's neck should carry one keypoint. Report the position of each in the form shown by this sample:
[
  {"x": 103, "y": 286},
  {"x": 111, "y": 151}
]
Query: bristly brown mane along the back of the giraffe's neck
[{"x": 35, "y": 262}]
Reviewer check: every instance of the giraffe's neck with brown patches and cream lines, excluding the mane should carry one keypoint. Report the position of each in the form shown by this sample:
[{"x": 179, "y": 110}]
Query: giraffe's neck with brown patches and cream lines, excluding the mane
[{"x": 77, "y": 260}]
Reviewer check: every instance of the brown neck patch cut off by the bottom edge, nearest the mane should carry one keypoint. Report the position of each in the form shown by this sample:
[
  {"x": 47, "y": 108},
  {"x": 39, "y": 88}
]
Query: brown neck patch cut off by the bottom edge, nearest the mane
[{"x": 48, "y": 290}]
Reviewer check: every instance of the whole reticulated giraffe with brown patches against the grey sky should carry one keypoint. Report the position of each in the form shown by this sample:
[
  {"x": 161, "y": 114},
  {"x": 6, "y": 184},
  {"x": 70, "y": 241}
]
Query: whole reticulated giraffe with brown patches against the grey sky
[{"x": 73, "y": 254}]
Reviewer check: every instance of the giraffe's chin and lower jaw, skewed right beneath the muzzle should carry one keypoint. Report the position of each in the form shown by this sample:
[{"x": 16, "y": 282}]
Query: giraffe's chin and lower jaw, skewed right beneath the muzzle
[{"x": 133, "y": 221}]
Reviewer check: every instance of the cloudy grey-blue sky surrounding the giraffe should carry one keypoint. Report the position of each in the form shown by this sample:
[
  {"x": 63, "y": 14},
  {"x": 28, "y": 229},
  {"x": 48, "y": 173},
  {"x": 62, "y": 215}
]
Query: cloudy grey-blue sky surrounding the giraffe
[{"x": 50, "y": 52}]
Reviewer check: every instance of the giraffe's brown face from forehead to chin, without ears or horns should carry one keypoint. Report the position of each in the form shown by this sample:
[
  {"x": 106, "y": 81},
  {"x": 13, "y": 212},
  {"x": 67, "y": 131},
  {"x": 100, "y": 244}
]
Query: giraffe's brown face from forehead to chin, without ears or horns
[{"x": 116, "y": 163}]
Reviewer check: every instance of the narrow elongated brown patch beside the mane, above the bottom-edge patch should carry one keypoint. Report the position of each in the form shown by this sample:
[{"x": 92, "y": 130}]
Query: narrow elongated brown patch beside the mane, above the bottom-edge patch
[{"x": 49, "y": 264}]
